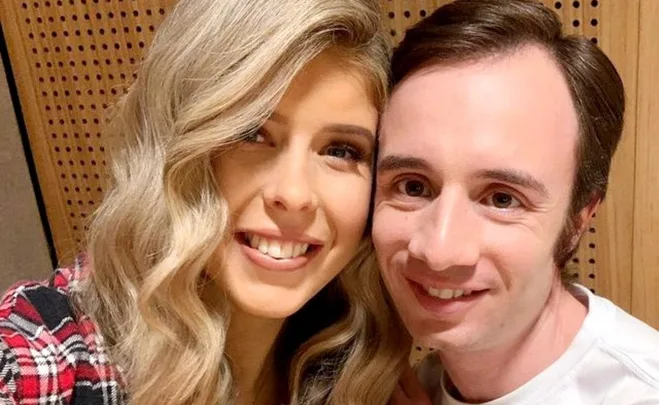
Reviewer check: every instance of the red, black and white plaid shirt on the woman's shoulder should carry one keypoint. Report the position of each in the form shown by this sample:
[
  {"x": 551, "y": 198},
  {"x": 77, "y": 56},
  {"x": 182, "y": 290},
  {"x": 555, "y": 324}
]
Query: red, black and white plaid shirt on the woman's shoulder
[{"x": 49, "y": 354}]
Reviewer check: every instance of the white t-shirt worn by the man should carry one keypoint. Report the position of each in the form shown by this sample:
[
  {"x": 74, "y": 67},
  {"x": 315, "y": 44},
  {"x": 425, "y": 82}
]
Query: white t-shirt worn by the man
[{"x": 613, "y": 360}]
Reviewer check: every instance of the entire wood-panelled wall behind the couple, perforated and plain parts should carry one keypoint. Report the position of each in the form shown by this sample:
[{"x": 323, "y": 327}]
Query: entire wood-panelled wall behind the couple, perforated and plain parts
[{"x": 73, "y": 58}]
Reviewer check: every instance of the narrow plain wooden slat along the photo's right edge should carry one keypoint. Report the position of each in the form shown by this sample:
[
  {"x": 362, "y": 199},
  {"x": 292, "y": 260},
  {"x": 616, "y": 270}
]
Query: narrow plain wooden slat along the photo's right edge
[{"x": 645, "y": 296}]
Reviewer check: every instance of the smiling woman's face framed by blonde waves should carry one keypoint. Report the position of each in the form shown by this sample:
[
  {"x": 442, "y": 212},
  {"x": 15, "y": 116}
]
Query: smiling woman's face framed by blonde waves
[{"x": 298, "y": 190}]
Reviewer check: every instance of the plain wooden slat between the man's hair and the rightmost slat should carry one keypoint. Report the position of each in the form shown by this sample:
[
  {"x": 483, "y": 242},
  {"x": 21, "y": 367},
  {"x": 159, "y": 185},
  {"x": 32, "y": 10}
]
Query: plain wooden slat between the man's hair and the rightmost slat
[{"x": 613, "y": 241}]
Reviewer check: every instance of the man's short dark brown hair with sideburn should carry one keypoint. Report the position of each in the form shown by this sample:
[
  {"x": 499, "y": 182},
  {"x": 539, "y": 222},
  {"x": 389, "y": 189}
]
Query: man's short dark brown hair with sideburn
[{"x": 471, "y": 30}]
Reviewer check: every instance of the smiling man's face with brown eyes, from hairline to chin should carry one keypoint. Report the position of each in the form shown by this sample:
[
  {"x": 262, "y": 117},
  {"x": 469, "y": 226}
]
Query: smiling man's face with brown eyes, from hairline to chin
[{"x": 474, "y": 178}]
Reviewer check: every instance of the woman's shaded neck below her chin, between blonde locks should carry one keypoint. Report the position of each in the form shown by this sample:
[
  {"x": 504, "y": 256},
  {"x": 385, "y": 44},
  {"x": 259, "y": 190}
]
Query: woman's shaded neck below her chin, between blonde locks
[{"x": 249, "y": 345}]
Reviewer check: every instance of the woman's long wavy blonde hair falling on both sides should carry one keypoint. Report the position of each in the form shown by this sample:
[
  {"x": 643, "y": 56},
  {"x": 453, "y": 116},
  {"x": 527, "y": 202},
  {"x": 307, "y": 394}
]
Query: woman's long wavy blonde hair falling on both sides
[{"x": 216, "y": 70}]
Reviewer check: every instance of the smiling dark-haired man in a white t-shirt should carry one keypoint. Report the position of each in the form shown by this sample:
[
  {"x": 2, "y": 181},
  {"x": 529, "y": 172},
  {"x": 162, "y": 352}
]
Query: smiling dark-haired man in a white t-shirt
[{"x": 494, "y": 154}]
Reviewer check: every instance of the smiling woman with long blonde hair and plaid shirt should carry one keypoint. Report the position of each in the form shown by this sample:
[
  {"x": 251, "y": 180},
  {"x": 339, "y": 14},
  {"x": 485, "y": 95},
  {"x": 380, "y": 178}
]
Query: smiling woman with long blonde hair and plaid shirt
[{"x": 241, "y": 192}]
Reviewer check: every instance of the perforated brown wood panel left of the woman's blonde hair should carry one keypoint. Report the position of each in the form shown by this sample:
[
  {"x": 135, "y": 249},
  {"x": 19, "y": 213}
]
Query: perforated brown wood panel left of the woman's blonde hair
[{"x": 71, "y": 59}]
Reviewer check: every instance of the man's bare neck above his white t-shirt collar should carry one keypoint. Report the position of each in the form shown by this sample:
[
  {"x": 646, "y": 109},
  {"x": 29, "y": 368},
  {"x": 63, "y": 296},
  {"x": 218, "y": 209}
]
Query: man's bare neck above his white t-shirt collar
[{"x": 489, "y": 374}]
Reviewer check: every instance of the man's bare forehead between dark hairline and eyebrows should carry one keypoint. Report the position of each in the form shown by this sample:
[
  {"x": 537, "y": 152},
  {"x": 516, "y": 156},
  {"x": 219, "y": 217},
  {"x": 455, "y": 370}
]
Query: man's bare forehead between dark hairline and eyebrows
[{"x": 512, "y": 114}]
